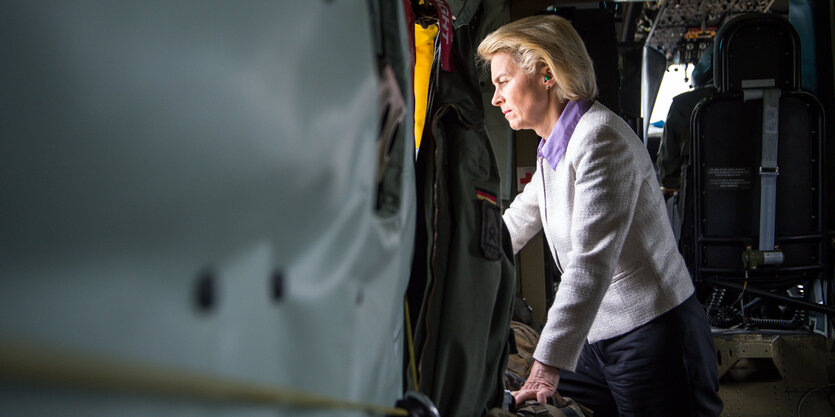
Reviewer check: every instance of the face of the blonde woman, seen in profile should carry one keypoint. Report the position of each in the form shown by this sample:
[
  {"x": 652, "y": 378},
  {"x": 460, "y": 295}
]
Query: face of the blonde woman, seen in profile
[{"x": 522, "y": 98}]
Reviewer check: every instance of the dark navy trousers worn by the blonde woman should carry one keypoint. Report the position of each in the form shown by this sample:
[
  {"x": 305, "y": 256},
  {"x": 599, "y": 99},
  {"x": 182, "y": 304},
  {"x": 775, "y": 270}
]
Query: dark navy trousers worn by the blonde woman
[{"x": 666, "y": 367}]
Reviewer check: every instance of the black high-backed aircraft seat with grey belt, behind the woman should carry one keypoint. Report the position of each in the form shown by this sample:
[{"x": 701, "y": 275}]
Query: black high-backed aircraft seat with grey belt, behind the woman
[{"x": 753, "y": 212}]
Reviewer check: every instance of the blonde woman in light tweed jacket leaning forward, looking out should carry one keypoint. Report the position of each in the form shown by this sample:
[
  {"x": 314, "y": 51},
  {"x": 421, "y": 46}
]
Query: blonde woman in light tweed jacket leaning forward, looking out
[{"x": 625, "y": 334}]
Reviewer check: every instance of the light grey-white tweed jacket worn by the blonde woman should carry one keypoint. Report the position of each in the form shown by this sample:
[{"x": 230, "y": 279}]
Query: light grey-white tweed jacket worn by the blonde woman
[{"x": 603, "y": 216}]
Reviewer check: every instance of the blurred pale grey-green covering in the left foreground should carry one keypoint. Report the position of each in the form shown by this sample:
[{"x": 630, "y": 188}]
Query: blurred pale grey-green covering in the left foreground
[{"x": 144, "y": 143}]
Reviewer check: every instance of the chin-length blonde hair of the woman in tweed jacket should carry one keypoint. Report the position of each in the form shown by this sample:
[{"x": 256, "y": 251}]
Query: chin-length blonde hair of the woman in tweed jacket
[{"x": 550, "y": 40}]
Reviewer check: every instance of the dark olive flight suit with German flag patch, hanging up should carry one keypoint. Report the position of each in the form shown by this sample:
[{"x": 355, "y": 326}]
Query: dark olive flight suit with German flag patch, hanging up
[{"x": 463, "y": 276}]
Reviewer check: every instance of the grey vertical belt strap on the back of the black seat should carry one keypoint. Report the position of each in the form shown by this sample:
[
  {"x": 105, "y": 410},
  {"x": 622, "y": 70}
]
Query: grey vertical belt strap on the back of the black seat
[{"x": 767, "y": 254}]
